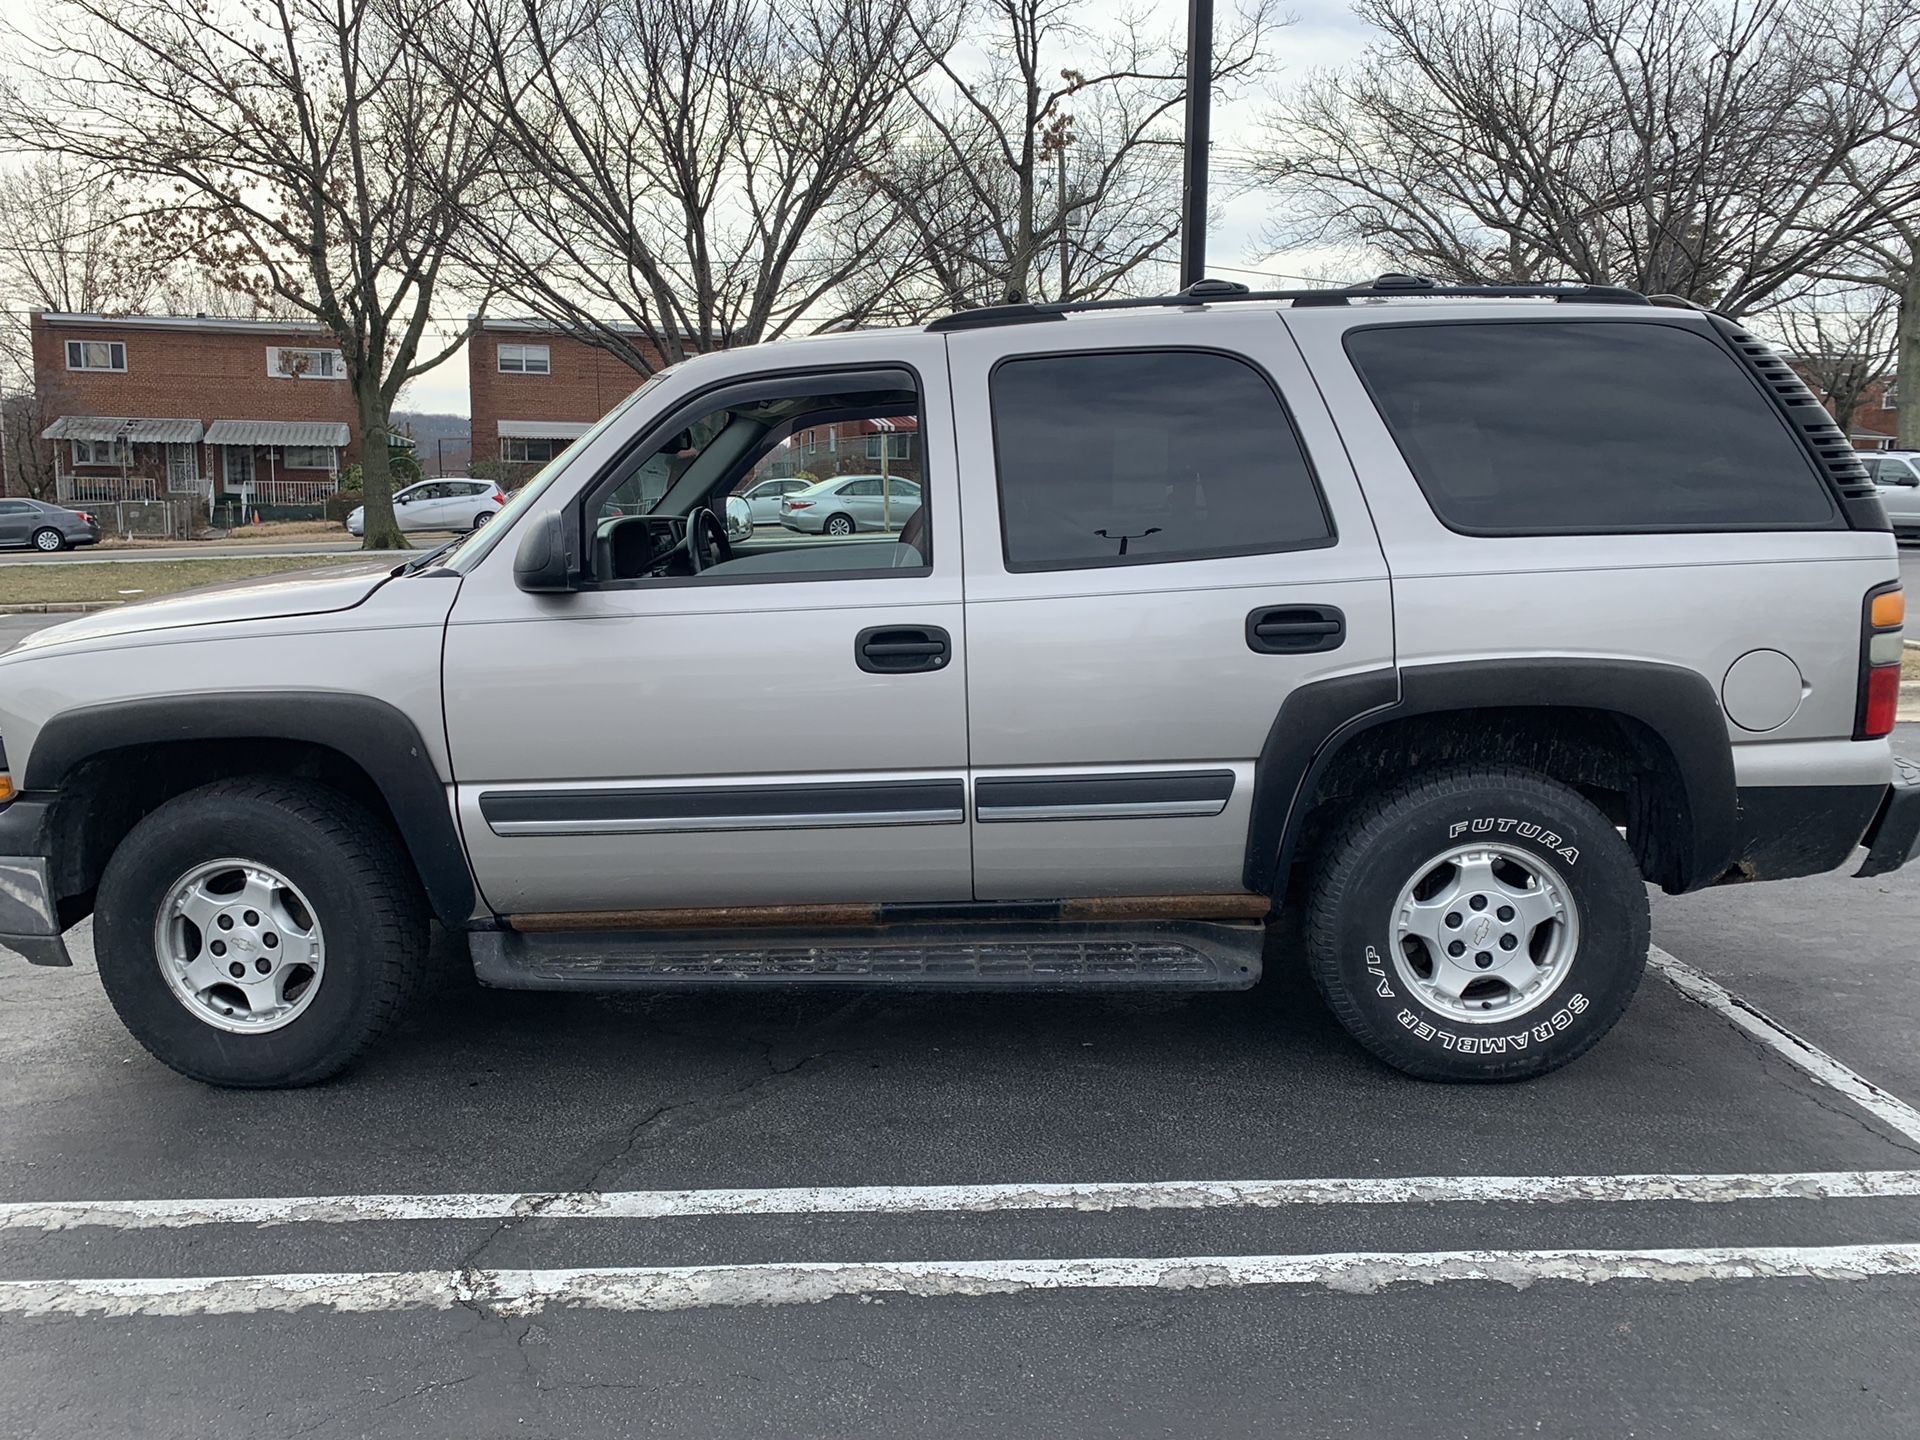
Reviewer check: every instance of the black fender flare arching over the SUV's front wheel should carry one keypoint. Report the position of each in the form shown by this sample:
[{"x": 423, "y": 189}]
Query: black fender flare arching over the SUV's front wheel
[{"x": 375, "y": 736}]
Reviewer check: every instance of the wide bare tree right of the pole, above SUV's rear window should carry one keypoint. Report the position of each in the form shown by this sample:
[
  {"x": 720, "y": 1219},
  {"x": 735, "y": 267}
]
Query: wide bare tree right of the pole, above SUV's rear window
[{"x": 1683, "y": 147}]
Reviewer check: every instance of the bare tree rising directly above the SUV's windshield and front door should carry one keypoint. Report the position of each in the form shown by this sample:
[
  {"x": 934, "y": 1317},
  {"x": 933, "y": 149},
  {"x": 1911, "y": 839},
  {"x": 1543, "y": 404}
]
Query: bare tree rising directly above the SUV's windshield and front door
[{"x": 673, "y": 176}]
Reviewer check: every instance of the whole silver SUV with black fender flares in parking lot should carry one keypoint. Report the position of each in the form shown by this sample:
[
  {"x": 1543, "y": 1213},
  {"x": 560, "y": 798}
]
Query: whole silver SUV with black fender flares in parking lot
[{"x": 1443, "y": 619}]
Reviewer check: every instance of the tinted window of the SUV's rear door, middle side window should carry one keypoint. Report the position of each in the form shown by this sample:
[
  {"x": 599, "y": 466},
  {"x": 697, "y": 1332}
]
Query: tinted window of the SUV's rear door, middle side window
[{"x": 1141, "y": 458}]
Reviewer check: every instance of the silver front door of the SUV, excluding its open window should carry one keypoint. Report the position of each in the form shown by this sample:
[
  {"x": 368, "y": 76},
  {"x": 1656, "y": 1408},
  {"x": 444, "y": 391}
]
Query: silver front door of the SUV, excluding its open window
[{"x": 683, "y": 744}]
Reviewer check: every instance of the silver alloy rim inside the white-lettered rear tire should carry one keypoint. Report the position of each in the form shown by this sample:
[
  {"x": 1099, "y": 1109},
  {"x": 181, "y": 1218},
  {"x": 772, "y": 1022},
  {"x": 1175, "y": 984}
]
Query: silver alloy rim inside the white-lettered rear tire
[{"x": 1485, "y": 934}]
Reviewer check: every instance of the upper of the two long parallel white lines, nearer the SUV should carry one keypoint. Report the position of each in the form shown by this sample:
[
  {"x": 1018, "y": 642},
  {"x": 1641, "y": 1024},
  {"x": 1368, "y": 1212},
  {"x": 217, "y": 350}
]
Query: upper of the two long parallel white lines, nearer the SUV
[{"x": 963, "y": 1199}]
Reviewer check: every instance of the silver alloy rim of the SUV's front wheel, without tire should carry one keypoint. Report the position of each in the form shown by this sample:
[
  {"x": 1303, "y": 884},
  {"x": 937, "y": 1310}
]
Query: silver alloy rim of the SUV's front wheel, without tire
[{"x": 239, "y": 946}]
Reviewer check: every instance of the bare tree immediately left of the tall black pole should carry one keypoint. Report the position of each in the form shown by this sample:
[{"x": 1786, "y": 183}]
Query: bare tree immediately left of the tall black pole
[{"x": 1049, "y": 166}]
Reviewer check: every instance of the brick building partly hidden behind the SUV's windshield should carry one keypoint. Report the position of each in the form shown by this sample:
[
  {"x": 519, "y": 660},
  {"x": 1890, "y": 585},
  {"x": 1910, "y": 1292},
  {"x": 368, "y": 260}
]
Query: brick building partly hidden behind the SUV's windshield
[{"x": 535, "y": 389}]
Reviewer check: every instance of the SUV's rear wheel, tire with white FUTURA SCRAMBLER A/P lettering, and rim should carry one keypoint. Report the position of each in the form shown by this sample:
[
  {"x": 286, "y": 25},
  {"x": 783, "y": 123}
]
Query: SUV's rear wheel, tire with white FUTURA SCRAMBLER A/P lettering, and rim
[{"x": 1562, "y": 984}]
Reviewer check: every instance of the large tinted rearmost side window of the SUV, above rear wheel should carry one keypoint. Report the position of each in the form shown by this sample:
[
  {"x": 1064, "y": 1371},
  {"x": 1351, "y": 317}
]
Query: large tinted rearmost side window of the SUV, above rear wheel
[{"x": 1579, "y": 427}]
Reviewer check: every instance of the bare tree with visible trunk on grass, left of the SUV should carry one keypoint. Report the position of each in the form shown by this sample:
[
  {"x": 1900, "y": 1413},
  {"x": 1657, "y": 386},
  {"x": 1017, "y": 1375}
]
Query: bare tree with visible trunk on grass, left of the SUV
[{"x": 308, "y": 151}]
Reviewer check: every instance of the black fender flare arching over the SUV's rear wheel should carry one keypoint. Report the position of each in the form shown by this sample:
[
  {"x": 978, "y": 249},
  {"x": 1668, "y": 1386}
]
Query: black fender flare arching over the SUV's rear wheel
[{"x": 1675, "y": 704}]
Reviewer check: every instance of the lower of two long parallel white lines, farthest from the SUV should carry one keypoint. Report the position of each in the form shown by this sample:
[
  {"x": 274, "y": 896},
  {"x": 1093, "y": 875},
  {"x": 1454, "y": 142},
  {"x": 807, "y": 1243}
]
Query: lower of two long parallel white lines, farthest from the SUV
[{"x": 700, "y": 1287}]
